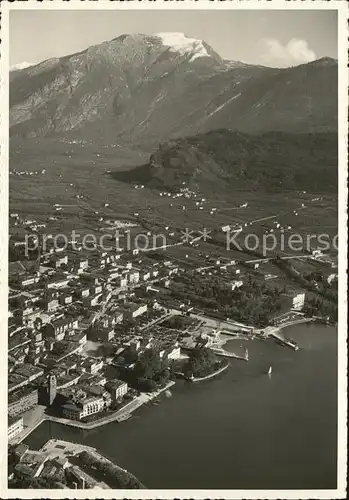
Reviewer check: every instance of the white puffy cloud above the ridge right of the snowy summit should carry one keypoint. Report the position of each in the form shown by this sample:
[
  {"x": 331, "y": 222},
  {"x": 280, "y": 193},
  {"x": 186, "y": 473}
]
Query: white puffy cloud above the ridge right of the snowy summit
[{"x": 296, "y": 51}]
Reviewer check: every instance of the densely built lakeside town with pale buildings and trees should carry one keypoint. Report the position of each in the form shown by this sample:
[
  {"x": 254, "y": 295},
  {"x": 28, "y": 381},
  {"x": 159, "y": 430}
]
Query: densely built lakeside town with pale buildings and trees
[{"x": 95, "y": 334}]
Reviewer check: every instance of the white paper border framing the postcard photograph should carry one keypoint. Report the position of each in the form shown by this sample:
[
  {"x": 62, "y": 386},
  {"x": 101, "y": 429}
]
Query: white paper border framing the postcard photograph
[{"x": 341, "y": 7}]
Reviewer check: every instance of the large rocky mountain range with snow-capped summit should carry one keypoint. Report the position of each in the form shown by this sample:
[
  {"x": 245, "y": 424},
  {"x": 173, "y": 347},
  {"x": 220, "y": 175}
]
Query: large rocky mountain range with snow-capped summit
[{"x": 141, "y": 89}]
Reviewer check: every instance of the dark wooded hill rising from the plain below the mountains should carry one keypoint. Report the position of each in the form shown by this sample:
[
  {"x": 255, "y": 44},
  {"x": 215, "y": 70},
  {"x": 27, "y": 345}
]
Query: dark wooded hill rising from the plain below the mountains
[{"x": 223, "y": 159}]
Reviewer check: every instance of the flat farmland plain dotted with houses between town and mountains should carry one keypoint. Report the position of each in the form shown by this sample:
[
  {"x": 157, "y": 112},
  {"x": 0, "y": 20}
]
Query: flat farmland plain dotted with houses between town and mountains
[{"x": 75, "y": 177}]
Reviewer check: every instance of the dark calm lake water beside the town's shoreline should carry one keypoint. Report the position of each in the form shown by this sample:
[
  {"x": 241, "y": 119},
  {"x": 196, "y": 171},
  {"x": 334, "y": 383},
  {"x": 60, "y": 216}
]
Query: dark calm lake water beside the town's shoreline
[{"x": 244, "y": 429}]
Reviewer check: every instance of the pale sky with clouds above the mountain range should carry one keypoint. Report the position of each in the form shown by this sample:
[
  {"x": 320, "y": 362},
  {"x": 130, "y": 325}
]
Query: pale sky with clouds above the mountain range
[{"x": 276, "y": 38}]
